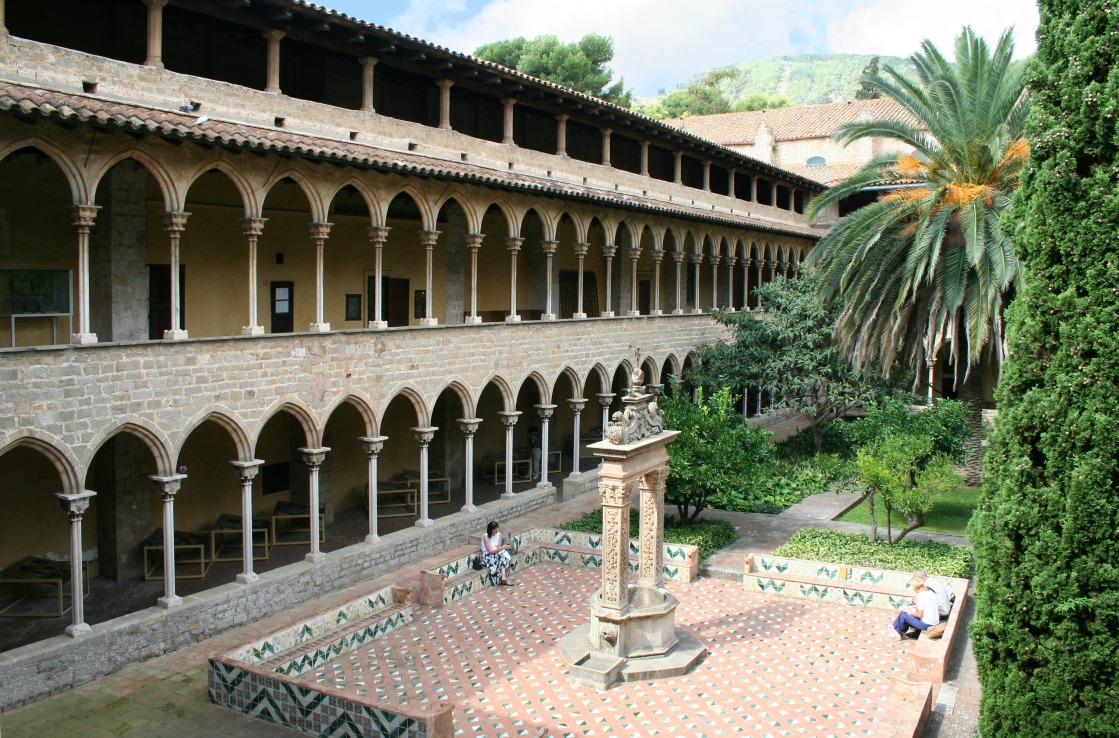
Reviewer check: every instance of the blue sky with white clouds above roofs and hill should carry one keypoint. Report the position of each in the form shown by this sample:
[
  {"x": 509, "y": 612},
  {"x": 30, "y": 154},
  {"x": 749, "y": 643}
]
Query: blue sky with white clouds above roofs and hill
[{"x": 662, "y": 44}]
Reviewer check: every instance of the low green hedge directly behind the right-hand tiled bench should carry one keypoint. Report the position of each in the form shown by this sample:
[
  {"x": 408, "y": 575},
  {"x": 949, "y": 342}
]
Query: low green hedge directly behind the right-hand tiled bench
[{"x": 858, "y": 550}]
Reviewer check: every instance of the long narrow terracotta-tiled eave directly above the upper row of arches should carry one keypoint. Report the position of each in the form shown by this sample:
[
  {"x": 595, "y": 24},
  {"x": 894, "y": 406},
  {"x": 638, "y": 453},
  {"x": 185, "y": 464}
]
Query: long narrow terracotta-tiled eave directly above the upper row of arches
[{"x": 173, "y": 125}]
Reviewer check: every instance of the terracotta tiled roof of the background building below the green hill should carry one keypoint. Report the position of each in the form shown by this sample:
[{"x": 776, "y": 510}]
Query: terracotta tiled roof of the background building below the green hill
[{"x": 789, "y": 124}]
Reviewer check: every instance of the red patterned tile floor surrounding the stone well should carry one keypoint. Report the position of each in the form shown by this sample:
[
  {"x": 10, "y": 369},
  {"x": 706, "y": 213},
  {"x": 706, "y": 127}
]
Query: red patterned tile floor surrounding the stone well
[{"x": 778, "y": 667}]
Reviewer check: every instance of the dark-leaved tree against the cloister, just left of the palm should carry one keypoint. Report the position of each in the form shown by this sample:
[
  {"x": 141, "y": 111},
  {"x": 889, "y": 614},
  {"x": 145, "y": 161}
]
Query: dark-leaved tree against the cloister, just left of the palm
[{"x": 789, "y": 352}]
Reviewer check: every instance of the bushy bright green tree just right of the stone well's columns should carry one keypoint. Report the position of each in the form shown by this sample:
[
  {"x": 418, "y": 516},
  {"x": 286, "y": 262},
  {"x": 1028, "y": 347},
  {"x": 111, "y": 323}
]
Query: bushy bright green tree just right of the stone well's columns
[{"x": 717, "y": 457}]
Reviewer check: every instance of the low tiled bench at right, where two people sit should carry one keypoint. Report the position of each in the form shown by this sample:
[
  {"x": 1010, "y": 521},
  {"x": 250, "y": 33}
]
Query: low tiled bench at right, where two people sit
[{"x": 862, "y": 588}]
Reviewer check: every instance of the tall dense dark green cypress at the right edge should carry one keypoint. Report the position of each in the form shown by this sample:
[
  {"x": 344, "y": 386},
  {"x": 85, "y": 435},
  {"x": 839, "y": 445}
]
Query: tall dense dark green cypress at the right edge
[{"x": 1047, "y": 532}]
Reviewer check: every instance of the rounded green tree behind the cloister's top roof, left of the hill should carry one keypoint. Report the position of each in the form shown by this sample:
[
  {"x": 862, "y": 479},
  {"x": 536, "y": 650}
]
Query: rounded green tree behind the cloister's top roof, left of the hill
[{"x": 580, "y": 65}]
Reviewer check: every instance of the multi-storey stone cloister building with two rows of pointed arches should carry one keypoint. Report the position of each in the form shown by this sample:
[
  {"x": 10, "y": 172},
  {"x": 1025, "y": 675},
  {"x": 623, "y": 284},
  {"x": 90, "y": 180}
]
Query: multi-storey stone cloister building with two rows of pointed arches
[{"x": 257, "y": 251}]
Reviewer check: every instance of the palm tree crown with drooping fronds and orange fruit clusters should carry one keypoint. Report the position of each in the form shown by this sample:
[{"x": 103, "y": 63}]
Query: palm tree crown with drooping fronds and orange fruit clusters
[{"x": 928, "y": 266}]
